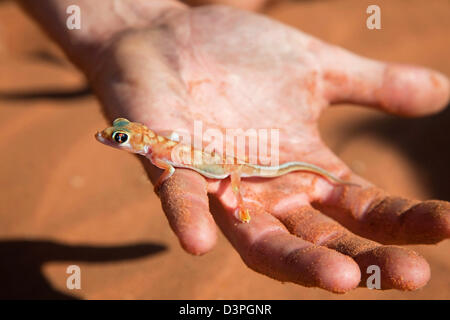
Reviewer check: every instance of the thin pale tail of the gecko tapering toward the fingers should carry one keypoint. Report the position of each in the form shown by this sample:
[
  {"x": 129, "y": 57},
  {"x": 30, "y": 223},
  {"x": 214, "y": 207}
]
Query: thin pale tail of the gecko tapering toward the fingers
[{"x": 285, "y": 168}]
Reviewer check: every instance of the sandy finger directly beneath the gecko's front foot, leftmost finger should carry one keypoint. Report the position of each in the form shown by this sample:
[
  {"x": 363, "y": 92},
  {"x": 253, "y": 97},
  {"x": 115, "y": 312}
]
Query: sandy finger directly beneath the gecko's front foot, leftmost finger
[{"x": 185, "y": 203}]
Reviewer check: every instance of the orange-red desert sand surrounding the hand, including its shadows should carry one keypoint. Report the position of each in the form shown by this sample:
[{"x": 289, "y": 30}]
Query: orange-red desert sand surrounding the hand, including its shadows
[{"x": 62, "y": 203}]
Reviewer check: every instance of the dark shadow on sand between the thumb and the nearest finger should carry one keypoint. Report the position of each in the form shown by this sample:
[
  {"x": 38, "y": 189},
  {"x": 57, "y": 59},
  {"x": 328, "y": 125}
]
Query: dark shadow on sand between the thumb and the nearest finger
[{"x": 425, "y": 141}]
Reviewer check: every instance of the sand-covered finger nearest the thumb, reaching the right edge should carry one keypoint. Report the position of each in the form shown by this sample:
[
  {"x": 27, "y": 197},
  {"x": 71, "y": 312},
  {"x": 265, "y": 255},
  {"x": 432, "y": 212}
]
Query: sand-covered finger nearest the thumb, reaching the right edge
[{"x": 370, "y": 212}]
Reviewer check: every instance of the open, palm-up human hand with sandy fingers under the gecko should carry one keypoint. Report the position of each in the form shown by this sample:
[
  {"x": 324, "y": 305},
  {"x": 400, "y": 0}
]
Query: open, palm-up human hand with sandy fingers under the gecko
[{"x": 167, "y": 64}]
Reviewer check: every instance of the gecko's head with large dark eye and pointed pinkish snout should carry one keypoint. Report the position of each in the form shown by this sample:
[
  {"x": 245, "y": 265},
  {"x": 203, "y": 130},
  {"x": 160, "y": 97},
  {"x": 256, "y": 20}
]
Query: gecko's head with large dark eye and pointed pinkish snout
[{"x": 124, "y": 135}]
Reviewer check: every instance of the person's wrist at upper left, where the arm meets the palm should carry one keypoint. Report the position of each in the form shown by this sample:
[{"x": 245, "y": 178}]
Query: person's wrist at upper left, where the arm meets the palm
[{"x": 100, "y": 23}]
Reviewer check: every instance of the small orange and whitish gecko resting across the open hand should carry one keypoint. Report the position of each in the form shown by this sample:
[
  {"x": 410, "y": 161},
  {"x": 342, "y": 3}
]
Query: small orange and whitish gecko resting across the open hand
[{"x": 137, "y": 138}]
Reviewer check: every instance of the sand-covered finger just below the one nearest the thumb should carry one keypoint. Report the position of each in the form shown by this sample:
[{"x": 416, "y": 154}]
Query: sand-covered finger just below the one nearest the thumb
[{"x": 400, "y": 268}]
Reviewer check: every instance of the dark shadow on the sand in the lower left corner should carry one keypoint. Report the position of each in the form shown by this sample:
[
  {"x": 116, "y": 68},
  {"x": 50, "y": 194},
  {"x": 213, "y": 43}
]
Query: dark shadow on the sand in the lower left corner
[{"x": 21, "y": 276}]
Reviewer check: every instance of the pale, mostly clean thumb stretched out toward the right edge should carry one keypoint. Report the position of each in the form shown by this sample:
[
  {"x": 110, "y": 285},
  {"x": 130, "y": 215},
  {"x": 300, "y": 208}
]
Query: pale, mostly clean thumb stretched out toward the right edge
[{"x": 398, "y": 89}]
